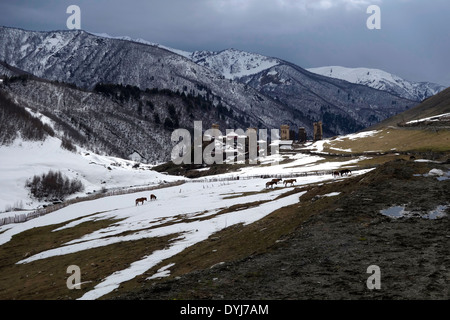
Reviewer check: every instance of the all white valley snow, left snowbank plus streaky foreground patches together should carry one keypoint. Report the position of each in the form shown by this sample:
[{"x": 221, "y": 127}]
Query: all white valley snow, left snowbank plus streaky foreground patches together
[{"x": 189, "y": 212}]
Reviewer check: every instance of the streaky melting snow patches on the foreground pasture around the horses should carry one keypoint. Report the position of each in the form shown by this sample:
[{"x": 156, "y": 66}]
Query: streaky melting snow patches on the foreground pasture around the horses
[{"x": 182, "y": 206}]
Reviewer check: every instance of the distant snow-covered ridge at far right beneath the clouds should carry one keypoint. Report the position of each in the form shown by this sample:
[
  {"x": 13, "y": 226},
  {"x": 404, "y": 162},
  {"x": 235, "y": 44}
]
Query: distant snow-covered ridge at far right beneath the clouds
[{"x": 382, "y": 80}]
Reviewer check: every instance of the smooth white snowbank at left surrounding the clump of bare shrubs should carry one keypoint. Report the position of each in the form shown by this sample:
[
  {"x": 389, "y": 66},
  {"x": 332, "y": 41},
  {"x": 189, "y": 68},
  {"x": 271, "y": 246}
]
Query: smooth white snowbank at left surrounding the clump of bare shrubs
[{"x": 22, "y": 160}]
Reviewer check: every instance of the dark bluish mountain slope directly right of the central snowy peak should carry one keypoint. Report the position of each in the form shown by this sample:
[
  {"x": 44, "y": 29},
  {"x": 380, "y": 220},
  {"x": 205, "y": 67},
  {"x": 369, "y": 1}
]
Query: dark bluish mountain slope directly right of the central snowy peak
[{"x": 342, "y": 106}]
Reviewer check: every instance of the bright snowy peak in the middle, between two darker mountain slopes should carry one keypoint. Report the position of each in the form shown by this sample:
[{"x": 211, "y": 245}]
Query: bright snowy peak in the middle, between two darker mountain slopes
[{"x": 232, "y": 63}]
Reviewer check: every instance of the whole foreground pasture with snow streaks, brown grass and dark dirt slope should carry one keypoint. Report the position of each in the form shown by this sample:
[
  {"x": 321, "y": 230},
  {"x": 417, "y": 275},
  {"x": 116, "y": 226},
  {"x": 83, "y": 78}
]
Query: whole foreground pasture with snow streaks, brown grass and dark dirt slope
[{"x": 221, "y": 237}]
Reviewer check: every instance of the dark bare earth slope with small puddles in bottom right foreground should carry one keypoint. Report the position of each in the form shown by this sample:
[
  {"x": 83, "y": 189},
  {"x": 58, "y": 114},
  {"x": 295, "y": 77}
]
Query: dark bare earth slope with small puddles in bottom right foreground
[{"x": 327, "y": 256}]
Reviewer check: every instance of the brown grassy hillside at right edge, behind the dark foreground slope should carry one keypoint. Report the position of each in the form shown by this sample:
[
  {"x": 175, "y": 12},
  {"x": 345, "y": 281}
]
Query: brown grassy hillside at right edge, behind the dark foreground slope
[{"x": 431, "y": 138}]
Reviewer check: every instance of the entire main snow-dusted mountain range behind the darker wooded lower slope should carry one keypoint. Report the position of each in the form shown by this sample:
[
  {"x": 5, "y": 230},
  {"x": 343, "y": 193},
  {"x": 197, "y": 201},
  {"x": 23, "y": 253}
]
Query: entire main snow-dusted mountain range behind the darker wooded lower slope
[{"x": 86, "y": 60}]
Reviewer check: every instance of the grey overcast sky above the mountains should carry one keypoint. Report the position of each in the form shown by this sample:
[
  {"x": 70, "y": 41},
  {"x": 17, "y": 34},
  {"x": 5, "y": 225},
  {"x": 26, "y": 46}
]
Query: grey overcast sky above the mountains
[{"x": 413, "y": 42}]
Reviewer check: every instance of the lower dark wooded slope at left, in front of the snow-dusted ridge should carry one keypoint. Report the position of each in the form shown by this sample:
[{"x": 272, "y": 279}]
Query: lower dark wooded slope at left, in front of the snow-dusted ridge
[{"x": 122, "y": 121}]
